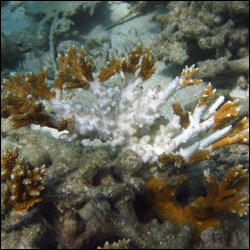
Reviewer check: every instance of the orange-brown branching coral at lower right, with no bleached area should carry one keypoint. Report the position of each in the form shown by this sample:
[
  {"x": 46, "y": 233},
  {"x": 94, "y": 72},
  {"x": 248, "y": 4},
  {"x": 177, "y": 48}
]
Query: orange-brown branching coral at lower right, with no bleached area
[{"x": 224, "y": 197}]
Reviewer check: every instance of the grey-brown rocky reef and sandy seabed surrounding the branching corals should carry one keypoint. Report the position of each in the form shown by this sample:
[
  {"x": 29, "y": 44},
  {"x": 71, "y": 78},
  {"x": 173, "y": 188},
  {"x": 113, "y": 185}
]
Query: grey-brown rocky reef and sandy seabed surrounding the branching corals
[{"x": 94, "y": 196}]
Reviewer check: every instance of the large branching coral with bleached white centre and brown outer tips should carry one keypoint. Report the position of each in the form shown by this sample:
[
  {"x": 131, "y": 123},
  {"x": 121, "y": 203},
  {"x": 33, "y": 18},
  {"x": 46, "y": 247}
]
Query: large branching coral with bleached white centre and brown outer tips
[{"x": 123, "y": 115}]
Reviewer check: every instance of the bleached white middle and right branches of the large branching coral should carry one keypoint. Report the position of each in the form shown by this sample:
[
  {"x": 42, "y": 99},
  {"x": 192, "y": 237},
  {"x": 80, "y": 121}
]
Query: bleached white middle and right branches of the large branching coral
[{"x": 127, "y": 115}]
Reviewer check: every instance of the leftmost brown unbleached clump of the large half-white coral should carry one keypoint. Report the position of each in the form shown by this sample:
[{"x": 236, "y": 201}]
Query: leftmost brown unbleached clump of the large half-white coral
[{"x": 22, "y": 102}]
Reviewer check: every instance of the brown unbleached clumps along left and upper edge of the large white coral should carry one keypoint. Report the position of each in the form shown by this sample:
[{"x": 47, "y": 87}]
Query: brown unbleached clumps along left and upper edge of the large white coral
[{"x": 23, "y": 100}]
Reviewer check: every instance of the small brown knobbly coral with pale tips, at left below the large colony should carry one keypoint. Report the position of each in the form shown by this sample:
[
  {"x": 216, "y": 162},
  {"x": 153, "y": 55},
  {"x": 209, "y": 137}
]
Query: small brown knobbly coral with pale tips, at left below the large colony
[{"x": 24, "y": 185}]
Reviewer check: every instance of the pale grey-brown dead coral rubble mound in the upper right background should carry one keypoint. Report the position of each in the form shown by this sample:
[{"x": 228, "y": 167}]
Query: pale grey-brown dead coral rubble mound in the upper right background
[{"x": 212, "y": 34}]
